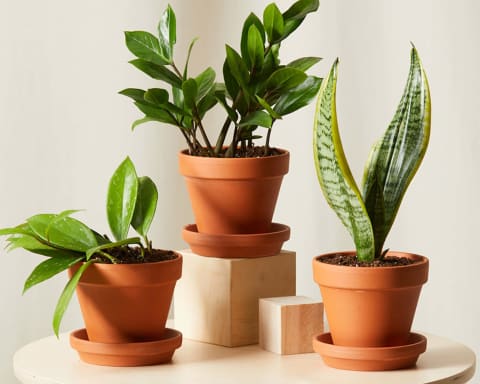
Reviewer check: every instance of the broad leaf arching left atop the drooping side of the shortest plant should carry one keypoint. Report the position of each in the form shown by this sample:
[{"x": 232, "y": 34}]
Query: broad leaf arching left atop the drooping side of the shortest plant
[{"x": 66, "y": 233}]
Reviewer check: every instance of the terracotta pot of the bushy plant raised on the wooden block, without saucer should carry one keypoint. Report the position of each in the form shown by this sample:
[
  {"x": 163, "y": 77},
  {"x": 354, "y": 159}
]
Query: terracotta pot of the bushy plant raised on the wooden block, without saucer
[{"x": 233, "y": 195}]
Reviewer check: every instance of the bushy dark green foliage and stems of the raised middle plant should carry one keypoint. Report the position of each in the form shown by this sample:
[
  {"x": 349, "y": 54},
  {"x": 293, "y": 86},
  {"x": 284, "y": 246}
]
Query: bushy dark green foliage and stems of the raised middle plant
[{"x": 256, "y": 89}]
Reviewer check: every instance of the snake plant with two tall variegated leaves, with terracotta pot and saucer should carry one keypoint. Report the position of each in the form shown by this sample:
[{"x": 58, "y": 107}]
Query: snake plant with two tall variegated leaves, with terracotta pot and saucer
[{"x": 370, "y": 294}]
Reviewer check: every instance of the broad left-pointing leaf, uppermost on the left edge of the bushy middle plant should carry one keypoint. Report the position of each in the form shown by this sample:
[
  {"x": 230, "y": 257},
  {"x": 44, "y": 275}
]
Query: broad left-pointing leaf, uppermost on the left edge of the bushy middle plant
[{"x": 145, "y": 46}]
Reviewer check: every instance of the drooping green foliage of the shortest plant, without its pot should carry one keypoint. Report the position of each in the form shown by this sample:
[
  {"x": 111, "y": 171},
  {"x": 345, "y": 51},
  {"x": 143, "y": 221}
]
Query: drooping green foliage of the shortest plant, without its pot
[{"x": 65, "y": 241}]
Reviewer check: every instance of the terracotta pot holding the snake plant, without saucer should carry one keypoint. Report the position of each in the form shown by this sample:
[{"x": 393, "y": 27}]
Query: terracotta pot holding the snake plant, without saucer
[{"x": 370, "y": 307}]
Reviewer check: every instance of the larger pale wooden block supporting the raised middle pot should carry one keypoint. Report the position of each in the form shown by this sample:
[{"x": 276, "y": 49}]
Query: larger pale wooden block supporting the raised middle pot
[{"x": 216, "y": 300}]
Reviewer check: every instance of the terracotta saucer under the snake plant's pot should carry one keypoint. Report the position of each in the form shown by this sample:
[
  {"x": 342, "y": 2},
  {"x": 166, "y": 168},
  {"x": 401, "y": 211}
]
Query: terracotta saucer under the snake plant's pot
[{"x": 369, "y": 359}]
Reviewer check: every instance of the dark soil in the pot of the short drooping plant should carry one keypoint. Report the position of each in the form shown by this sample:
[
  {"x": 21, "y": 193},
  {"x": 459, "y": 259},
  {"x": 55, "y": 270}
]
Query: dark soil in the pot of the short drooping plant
[{"x": 133, "y": 255}]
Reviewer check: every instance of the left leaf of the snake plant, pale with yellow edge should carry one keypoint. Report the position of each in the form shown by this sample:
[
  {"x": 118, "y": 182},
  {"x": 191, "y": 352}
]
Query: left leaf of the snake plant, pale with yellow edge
[{"x": 334, "y": 175}]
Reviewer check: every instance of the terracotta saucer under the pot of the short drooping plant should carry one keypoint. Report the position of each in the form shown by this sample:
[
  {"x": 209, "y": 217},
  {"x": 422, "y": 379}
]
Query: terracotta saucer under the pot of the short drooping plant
[{"x": 126, "y": 354}]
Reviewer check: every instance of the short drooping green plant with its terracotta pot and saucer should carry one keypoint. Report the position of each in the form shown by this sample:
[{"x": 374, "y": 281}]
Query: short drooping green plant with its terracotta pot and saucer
[{"x": 124, "y": 286}]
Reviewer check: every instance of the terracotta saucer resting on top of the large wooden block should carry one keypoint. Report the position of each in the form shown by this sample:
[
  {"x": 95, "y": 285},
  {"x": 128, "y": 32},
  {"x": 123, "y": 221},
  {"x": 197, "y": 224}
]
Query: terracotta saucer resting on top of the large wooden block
[{"x": 237, "y": 246}]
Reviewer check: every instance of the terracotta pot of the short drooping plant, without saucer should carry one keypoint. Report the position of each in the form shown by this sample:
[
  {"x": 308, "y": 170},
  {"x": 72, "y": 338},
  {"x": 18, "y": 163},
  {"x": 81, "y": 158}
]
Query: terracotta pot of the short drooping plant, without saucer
[{"x": 124, "y": 303}]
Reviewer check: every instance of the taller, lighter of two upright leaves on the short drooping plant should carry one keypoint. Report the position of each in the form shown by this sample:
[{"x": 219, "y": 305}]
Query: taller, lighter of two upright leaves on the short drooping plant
[{"x": 121, "y": 198}]
